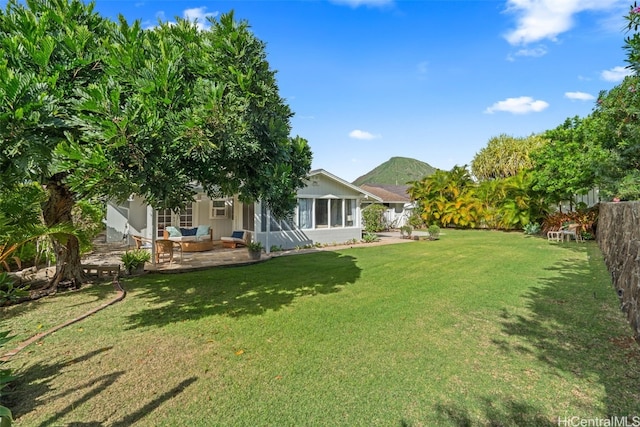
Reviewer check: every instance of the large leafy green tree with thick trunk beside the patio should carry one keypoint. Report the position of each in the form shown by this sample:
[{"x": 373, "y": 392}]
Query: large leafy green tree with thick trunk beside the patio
[{"x": 92, "y": 107}]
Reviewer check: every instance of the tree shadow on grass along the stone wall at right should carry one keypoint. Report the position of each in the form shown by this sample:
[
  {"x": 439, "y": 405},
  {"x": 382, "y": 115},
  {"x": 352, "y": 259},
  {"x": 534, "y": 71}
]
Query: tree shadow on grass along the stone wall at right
[{"x": 576, "y": 327}]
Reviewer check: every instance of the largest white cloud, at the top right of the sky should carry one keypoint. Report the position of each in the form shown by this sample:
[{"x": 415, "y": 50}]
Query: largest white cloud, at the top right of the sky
[{"x": 546, "y": 19}]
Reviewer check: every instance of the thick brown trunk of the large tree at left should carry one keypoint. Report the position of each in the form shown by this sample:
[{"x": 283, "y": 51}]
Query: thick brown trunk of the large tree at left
[{"x": 57, "y": 210}]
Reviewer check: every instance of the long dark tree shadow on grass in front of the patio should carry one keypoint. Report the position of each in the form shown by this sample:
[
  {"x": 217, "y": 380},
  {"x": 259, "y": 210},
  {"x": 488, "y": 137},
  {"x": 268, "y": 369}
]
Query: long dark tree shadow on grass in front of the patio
[{"x": 240, "y": 291}]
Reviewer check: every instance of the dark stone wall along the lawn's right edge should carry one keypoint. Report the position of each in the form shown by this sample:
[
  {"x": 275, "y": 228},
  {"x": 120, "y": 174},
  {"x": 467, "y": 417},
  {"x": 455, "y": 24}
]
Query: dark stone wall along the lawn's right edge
[{"x": 619, "y": 240}]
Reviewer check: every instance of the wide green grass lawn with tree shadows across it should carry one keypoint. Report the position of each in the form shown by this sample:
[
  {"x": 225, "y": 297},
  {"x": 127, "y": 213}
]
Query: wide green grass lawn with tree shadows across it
[{"x": 478, "y": 328}]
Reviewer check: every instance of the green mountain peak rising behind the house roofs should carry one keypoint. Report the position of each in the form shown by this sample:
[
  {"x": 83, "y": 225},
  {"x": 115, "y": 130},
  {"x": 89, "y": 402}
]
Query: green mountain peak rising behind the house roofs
[{"x": 396, "y": 171}]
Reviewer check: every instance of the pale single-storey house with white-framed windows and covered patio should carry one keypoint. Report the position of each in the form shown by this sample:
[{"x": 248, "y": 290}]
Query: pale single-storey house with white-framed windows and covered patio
[{"x": 328, "y": 211}]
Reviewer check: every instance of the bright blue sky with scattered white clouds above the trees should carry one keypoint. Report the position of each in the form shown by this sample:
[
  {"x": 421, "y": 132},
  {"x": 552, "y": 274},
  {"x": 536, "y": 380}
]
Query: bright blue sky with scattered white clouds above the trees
[{"x": 428, "y": 79}]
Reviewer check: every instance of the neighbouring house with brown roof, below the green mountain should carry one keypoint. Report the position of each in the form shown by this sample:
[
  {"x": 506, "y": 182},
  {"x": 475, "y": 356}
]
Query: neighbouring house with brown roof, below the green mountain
[{"x": 396, "y": 199}]
